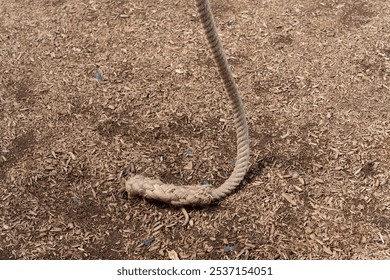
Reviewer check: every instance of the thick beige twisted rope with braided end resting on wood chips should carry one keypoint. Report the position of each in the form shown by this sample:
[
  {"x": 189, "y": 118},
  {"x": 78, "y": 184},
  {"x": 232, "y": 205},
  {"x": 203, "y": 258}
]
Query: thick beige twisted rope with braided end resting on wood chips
[{"x": 204, "y": 194}]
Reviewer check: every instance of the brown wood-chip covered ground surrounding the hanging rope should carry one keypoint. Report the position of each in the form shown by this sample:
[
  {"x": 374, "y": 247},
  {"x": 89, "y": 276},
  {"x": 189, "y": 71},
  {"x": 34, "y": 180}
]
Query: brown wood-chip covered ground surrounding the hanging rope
[{"x": 89, "y": 87}]
